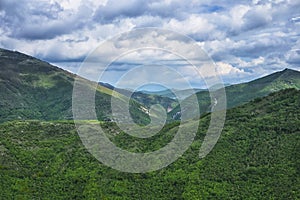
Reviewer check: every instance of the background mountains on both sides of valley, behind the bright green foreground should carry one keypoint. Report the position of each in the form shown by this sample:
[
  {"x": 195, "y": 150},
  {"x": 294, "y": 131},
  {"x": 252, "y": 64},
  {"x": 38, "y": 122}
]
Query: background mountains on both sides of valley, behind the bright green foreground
[{"x": 34, "y": 89}]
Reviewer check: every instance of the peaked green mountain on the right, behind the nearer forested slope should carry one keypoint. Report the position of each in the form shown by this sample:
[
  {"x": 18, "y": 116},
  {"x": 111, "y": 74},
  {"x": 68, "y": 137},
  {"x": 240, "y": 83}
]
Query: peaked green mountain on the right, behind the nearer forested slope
[{"x": 242, "y": 93}]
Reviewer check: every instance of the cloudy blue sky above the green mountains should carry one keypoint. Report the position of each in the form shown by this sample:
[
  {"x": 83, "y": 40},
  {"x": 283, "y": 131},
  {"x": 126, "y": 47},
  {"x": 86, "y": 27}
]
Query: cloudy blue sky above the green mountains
[{"x": 245, "y": 39}]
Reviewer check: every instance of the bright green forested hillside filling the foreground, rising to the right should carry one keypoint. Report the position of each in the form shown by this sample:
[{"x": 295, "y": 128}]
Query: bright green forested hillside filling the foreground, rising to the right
[{"x": 256, "y": 157}]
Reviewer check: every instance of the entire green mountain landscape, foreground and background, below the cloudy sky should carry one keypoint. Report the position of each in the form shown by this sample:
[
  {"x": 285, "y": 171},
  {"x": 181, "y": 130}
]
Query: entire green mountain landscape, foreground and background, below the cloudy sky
[{"x": 257, "y": 155}]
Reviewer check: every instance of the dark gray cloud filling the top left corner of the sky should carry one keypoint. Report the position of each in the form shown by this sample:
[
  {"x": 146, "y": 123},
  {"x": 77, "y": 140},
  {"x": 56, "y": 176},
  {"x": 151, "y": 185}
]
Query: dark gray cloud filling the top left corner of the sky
[{"x": 39, "y": 20}]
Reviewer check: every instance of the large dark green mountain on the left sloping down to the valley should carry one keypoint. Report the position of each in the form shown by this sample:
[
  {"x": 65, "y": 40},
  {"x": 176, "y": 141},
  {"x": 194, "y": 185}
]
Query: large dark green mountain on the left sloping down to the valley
[{"x": 34, "y": 89}]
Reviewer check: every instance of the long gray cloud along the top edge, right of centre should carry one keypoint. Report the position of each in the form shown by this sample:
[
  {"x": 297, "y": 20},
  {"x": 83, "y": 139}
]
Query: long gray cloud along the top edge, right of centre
[{"x": 116, "y": 10}]
